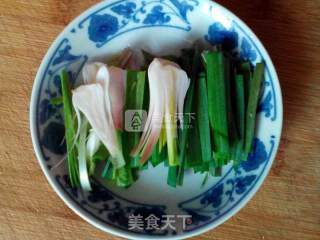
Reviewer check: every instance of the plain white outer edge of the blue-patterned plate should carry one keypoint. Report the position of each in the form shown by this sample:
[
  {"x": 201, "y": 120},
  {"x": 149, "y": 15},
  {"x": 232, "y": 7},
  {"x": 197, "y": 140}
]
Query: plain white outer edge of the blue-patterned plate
[{"x": 111, "y": 229}]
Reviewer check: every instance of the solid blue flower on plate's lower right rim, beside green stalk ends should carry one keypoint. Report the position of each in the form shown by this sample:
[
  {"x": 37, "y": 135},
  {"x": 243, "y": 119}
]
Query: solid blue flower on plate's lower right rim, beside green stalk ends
[{"x": 256, "y": 157}]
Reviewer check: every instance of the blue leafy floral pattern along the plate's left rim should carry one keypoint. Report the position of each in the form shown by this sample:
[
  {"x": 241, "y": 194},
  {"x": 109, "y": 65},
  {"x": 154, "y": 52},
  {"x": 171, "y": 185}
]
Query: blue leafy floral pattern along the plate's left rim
[{"x": 49, "y": 115}]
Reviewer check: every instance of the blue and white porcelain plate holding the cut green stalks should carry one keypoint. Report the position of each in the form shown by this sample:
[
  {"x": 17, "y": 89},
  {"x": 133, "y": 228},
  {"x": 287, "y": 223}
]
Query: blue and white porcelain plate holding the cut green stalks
[{"x": 160, "y": 27}]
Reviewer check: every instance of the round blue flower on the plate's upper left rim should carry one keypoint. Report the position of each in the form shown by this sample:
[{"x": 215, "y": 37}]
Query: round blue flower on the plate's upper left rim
[{"x": 101, "y": 27}]
